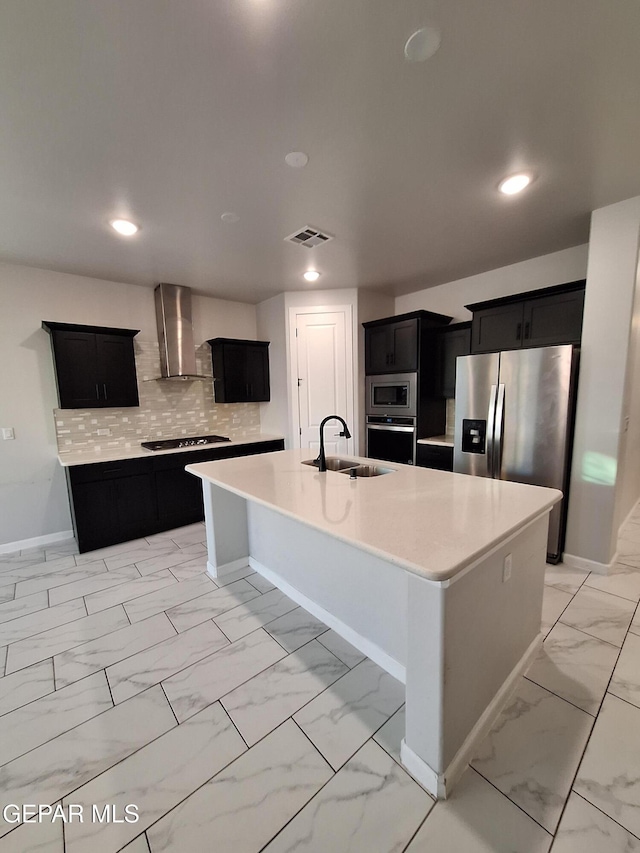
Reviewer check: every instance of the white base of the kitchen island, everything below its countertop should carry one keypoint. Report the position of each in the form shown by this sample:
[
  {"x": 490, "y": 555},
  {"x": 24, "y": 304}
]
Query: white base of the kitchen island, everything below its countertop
[{"x": 461, "y": 643}]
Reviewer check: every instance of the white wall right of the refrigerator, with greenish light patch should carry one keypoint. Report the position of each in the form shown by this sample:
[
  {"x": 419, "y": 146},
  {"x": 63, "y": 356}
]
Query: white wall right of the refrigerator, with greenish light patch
[{"x": 599, "y": 494}]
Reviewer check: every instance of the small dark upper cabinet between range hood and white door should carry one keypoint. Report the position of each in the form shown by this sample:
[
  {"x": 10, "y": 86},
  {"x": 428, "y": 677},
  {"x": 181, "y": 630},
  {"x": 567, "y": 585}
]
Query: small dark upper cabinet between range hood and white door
[{"x": 240, "y": 370}]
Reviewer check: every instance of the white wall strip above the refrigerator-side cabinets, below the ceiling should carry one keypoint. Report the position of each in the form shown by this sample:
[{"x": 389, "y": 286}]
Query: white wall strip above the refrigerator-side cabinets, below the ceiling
[{"x": 450, "y": 298}]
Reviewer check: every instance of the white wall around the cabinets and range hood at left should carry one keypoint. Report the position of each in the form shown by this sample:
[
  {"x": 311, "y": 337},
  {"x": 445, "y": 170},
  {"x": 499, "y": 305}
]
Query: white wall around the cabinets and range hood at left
[{"x": 33, "y": 496}]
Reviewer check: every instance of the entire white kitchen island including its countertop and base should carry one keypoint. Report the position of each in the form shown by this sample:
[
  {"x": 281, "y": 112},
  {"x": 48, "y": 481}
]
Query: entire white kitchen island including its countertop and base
[{"x": 437, "y": 577}]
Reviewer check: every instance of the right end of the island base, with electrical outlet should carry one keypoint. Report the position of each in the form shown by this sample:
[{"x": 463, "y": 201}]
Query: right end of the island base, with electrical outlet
[{"x": 470, "y": 639}]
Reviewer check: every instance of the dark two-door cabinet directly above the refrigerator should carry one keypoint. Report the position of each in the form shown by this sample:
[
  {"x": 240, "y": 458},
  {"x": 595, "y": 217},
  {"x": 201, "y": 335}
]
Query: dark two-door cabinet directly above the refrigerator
[{"x": 538, "y": 318}]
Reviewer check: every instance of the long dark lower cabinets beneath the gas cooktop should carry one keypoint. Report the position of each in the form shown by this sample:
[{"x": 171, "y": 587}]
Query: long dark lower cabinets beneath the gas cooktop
[{"x": 114, "y": 502}]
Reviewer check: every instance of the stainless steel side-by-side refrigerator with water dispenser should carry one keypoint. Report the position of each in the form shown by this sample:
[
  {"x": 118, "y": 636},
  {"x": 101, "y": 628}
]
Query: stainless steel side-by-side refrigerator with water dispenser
[{"x": 514, "y": 421}]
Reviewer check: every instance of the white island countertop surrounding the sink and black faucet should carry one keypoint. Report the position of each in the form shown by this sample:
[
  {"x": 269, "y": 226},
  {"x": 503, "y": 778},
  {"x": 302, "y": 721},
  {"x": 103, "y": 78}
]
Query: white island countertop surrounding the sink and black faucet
[{"x": 432, "y": 523}]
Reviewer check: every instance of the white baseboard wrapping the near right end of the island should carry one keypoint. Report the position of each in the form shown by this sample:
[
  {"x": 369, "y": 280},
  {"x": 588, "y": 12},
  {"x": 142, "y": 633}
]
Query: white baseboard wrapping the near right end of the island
[{"x": 440, "y": 785}]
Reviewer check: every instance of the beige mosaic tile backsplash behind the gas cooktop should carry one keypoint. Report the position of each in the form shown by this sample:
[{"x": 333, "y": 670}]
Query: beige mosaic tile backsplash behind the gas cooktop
[{"x": 168, "y": 409}]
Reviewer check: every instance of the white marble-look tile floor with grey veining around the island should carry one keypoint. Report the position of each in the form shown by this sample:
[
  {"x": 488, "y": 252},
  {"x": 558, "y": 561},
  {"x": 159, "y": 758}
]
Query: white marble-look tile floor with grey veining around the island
[{"x": 235, "y": 721}]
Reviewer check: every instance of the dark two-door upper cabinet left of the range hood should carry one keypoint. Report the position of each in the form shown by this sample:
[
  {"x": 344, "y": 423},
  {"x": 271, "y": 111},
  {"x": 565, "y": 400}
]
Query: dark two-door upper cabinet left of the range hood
[{"x": 95, "y": 366}]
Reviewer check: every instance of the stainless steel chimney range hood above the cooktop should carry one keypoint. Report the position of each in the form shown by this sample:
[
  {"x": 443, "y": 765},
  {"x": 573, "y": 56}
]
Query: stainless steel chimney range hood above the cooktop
[{"x": 175, "y": 332}]
